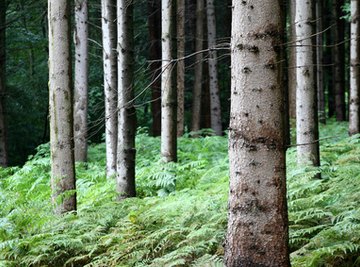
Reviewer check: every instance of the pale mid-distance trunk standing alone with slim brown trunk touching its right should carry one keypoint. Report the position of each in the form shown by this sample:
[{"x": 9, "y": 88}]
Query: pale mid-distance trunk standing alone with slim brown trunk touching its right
[{"x": 168, "y": 92}]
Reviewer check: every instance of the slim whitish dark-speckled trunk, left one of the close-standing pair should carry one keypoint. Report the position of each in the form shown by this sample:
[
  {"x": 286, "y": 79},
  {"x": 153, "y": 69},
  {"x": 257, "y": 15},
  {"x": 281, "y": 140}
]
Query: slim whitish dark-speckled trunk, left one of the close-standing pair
[{"x": 108, "y": 13}]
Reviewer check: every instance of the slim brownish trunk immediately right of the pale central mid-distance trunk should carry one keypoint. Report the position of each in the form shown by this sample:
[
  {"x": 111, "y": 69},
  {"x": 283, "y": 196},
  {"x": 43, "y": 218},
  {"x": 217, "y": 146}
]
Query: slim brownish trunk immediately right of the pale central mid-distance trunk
[{"x": 180, "y": 77}]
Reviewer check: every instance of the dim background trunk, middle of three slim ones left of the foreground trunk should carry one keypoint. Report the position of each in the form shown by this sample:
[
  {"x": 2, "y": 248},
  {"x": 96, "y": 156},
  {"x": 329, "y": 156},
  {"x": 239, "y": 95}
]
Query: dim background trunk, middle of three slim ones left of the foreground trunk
[{"x": 198, "y": 71}]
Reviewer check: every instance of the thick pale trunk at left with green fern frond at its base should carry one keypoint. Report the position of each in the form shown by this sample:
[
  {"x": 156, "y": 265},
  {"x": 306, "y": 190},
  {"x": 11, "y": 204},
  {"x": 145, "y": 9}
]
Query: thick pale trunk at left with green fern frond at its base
[{"x": 61, "y": 107}]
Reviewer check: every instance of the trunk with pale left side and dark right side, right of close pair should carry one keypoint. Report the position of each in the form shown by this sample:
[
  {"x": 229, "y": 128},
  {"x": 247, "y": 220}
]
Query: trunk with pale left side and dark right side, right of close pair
[{"x": 125, "y": 177}]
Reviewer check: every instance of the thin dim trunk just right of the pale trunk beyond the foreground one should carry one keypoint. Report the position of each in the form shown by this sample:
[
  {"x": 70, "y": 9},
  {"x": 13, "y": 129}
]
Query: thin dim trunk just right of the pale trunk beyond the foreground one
[{"x": 320, "y": 61}]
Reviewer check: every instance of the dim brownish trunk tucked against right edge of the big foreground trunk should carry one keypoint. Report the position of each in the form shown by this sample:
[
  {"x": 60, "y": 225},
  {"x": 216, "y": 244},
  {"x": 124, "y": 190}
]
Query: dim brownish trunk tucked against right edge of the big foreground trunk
[{"x": 292, "y": 62}]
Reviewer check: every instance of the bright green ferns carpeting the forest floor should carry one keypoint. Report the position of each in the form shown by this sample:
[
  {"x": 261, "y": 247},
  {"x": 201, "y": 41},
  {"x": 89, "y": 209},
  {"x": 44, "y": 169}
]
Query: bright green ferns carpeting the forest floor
[{"x": 179, "y": 216}]
